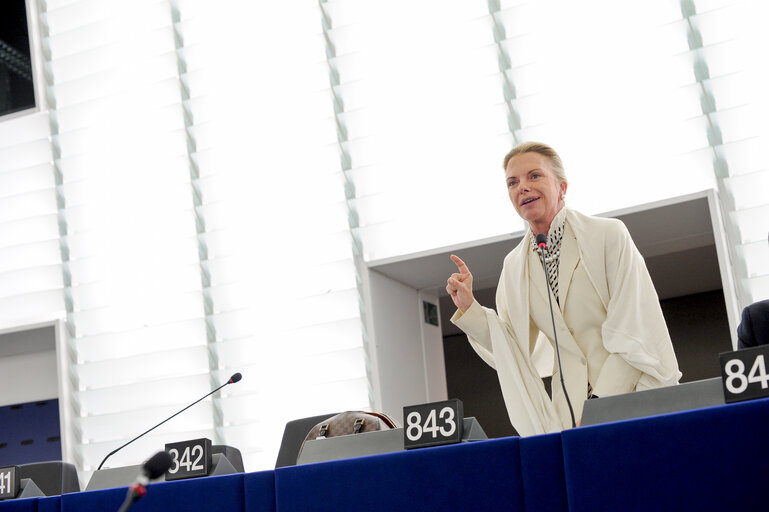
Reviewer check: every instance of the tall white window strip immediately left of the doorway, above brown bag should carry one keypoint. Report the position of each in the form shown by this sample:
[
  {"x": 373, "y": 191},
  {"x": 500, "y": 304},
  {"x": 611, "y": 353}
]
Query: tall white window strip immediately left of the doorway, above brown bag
[{"x": 277, "y": 232}]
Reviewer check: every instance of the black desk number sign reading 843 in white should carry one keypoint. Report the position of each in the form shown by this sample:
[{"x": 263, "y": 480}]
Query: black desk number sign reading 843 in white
[{"x": 433, "y": 424}]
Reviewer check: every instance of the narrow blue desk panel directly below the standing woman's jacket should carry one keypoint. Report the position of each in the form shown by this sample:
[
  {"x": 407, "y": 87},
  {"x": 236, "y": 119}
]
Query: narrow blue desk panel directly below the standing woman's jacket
[{"x": 544, "y": 480}]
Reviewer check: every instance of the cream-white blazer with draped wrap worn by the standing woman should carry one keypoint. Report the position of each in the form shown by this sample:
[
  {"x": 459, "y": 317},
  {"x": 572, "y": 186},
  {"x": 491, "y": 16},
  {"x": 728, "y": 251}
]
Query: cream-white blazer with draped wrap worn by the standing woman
[{"x": 611, "y": 331}]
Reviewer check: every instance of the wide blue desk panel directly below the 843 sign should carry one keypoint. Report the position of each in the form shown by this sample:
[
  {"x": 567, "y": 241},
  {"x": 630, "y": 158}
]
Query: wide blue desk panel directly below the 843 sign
[{"x": 476, "y": 476}]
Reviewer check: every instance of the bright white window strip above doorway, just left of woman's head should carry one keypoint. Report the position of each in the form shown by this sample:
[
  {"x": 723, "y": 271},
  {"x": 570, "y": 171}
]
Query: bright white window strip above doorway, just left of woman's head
[{"x": 425, "y": 115}]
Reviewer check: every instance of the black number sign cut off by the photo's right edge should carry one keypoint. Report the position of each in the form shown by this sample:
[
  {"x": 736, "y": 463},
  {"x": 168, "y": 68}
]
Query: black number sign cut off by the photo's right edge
[{"x": 744, "y": 374}]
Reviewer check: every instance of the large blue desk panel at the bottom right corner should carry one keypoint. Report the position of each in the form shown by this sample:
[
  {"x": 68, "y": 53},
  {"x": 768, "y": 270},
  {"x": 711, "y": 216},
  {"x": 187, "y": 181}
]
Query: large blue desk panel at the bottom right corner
[{"x": 706, "y": 459}]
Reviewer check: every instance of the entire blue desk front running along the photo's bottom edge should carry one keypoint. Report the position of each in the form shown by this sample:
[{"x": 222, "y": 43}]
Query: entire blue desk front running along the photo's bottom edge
[{"x": 707, "y": 459}]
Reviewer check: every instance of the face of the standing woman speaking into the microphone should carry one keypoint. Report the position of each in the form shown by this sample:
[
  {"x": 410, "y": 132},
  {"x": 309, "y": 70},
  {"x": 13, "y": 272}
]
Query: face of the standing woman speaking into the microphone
[{"x": 534, "y": 190}]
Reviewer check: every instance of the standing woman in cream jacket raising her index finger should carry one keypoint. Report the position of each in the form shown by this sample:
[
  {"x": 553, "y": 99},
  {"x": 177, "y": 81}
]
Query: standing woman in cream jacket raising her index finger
[{"x": 611, "y": 332}]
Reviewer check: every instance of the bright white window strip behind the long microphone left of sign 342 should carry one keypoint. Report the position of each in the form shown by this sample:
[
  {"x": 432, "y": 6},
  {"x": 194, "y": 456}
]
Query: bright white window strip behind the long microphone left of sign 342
[{"x": 125, "y": 220}]
